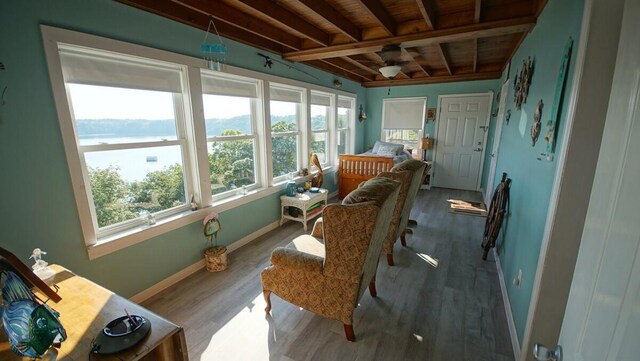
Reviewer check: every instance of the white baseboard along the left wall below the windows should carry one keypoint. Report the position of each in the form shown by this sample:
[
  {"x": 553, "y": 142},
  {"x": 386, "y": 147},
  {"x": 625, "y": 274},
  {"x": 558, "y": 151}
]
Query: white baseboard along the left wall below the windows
[{"x": 186, "y": 272}]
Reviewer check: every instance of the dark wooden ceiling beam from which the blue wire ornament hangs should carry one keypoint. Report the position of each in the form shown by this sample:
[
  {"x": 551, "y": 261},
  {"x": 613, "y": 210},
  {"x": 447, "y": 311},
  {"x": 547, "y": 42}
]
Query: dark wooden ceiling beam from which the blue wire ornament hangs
[{"x": 232, "y": 16}]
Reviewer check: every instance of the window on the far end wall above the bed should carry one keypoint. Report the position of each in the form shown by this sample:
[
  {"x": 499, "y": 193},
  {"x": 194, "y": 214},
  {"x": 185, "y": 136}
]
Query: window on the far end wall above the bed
[{"x": 403, "y": 120}]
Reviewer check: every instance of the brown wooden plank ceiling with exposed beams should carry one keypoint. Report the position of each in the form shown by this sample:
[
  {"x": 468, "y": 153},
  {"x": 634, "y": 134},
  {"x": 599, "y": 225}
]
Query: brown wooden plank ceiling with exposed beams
[{"x": 439, "y": 40}]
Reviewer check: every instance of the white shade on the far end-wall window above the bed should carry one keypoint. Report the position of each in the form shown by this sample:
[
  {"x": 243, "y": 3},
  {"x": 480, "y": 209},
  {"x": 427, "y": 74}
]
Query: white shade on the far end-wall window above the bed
[{"x": 403, "y": 113}]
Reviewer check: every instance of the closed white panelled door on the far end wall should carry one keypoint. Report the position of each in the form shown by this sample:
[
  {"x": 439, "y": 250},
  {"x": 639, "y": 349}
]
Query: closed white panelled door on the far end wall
[{"x": 460, "y": 140}]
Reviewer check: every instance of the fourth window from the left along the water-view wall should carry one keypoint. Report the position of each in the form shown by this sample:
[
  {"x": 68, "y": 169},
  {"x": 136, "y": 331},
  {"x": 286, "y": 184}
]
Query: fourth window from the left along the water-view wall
[{"x": 321, "y": 117}]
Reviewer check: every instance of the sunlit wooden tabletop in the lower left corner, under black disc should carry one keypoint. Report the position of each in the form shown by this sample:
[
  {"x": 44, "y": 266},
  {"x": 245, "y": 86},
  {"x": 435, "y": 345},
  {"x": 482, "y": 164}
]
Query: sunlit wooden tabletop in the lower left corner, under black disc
[{"x": 86, "y": 308}]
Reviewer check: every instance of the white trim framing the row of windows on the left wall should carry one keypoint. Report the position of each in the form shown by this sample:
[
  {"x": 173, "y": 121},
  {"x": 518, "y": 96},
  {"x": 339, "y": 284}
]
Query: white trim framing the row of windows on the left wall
[{"x": 197, "y": 146}]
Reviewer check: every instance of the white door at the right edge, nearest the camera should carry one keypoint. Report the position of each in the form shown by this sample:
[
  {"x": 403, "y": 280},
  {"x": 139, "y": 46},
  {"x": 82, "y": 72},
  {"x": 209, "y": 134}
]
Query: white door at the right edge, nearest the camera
[{"x": 602, "y": 319}]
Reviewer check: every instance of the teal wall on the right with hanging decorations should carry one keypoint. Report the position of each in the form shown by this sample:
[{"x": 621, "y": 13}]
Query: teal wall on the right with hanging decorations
[{"x": 532, "y": 179}]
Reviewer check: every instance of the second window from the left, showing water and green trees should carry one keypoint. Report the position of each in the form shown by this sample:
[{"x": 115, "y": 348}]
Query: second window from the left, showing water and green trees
[{"x": 230, "y": 121}]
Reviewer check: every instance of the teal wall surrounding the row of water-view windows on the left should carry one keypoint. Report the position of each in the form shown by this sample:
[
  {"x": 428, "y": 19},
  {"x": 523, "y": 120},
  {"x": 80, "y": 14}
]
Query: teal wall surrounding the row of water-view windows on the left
[{"x": 38, "y": 207}]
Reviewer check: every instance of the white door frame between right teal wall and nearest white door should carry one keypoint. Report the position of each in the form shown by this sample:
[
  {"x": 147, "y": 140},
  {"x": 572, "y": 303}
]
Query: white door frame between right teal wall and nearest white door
[{"x": 579, "y": 148}]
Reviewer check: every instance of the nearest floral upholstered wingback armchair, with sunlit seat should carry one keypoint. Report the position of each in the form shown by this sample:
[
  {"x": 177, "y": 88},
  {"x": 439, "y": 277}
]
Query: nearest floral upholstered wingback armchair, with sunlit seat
[{"x": 328, "y": 275}]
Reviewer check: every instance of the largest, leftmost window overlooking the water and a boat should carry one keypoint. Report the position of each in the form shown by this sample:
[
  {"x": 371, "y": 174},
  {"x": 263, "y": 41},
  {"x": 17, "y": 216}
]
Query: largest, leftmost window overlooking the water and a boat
[{"x": 129, "y": 122}]
